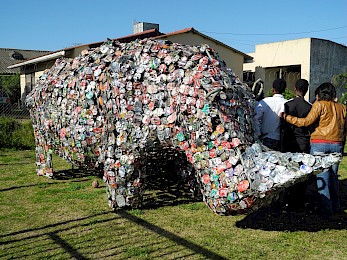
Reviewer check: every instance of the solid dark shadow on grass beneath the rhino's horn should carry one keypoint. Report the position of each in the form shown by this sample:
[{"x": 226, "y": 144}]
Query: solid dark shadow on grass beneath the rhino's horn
[{"x": 279, "y": 218}]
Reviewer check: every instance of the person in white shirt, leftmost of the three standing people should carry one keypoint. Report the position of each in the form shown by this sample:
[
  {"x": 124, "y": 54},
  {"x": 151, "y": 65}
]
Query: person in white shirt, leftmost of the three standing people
[{"x": 267, "y": 120}]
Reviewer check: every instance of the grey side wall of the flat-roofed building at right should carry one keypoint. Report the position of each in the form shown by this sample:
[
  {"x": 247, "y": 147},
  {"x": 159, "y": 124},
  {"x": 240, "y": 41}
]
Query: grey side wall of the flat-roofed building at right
[{"x": 327, "y": 59}]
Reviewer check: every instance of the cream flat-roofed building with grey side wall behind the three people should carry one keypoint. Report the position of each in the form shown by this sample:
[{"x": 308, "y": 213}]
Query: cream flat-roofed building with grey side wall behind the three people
[{"x": 316, "y": 60}]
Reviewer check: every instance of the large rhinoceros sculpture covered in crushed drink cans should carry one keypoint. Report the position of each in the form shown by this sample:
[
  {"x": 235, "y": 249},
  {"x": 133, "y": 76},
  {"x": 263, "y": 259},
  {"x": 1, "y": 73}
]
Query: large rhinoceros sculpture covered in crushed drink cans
[{"x": 103, "y": 109}]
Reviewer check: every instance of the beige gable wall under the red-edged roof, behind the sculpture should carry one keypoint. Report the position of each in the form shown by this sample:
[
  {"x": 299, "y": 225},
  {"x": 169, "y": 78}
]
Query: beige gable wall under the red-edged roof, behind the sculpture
[{"x": 232, "y": 59}]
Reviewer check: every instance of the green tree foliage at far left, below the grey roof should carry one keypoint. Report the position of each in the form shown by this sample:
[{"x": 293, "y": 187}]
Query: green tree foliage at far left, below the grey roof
[{"x": 10, "y": 85}]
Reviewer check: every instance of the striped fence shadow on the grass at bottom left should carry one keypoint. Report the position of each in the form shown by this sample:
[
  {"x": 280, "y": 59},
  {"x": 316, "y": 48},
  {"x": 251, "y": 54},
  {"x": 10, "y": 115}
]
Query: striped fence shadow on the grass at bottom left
[{"x": 75, "y": 238}]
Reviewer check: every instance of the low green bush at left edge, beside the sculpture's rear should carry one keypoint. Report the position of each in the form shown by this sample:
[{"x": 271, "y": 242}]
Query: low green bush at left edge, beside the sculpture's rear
[{"x": 15, "y": 134}]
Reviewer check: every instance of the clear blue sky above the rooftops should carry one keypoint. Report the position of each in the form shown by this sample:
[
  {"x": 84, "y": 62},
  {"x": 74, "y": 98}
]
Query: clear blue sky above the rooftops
[{"x": 54, "y": 25}]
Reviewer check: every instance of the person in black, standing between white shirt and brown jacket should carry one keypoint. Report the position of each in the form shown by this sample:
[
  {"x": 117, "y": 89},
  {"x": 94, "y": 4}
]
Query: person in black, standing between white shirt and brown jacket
[{"x": 296, "y": 139}]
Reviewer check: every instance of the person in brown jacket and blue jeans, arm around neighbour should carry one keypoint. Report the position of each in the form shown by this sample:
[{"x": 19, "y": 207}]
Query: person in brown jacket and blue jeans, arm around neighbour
[{"x": 328, "y": 137}]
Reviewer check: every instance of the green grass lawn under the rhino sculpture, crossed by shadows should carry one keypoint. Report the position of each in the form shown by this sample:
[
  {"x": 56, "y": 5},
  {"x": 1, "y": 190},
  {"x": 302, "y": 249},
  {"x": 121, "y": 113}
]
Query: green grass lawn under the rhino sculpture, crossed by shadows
[{"x": 66, "y": 218}]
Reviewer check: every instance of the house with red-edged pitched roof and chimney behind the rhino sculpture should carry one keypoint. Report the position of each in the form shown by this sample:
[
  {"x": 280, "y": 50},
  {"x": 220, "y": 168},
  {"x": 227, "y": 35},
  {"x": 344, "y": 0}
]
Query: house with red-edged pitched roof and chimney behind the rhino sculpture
[{"x": 31, "y": 70}]
